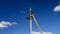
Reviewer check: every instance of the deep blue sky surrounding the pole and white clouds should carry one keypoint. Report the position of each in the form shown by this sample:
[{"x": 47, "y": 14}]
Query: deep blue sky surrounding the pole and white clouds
[{"x": 17, "y": 10}]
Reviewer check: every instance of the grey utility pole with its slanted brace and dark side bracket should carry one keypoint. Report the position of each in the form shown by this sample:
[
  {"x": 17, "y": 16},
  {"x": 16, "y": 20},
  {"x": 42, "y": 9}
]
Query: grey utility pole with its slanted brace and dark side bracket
[{"x": 30, "y": 17}]
